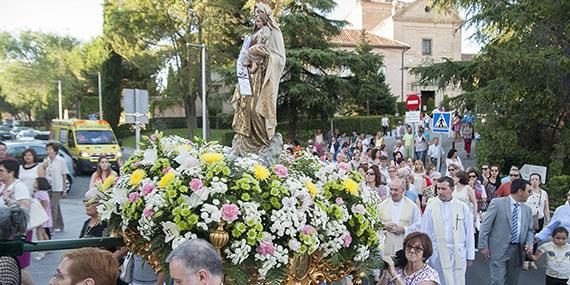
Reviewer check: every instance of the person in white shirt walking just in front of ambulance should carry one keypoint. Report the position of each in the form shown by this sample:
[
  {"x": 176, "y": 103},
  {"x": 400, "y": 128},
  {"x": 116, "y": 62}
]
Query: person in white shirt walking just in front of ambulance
[{"x": 54, "y": 169}]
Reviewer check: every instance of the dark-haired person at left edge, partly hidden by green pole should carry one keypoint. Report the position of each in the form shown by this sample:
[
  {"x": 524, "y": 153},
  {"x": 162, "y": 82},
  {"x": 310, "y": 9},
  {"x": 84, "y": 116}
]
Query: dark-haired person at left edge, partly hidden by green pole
[{"x": 13, "y": 222}]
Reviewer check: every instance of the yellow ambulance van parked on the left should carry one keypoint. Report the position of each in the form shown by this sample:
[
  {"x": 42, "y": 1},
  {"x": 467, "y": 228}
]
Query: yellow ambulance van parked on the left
[{"x": 87, "y": 141}]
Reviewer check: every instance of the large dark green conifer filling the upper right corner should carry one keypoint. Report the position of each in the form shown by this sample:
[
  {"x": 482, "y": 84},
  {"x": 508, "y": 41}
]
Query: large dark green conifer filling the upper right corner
[{"x": 520, "y": 81}]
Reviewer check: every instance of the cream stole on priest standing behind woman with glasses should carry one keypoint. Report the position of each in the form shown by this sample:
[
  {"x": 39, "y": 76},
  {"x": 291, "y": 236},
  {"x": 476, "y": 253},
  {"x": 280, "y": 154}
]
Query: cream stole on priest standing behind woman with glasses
[{"x": 394, "y": 242}]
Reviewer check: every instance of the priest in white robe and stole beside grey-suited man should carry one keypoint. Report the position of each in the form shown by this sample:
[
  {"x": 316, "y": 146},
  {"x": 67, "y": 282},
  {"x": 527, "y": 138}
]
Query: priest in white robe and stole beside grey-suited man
[{"x": 449, "y": 224}]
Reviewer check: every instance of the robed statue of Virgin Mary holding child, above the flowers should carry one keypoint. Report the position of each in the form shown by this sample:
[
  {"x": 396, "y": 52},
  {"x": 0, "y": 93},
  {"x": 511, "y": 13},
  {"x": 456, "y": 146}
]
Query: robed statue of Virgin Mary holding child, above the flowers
[{"x": 255, "y": 104}]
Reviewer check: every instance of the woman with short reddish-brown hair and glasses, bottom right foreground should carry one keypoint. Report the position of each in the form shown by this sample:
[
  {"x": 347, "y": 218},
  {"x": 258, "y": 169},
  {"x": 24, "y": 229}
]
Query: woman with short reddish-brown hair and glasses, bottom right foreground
[{"x": 416, "y": 271}]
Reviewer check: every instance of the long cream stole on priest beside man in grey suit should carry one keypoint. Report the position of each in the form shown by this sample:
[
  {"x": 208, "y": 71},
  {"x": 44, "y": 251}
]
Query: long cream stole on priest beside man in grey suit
[{"x": 457, "y": 215}]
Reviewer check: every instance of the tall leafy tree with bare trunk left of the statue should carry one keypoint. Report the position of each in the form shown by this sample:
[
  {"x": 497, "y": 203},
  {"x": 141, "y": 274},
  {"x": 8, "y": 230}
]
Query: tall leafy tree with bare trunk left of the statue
[{"x": 166, "y": 31}]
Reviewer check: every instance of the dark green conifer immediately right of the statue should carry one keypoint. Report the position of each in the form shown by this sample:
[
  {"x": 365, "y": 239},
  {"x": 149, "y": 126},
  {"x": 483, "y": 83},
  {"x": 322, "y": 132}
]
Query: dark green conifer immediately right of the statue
[{"x": 311, "y": 83}]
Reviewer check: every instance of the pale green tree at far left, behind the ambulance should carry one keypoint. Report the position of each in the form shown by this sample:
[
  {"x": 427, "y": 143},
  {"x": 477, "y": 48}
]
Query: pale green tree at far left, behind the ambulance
[{"x": 29, "y": 63}]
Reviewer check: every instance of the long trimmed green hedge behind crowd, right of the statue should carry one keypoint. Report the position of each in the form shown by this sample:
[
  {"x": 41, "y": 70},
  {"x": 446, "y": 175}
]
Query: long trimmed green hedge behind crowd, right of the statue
[{"x": 364, "y": 124}]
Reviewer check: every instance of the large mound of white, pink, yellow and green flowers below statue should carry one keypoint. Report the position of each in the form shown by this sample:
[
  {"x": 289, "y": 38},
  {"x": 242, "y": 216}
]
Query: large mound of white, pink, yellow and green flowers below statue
[{"x": 177, "y": 190}]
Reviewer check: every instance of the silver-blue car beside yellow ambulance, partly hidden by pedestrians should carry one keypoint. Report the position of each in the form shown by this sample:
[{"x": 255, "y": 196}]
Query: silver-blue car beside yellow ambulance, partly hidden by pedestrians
[{"x": 15, "y": 149}]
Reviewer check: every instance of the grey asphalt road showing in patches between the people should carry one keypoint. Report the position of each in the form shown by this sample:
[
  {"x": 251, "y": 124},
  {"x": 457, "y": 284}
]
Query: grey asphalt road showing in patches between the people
[{"x": 74, "y": 216}]
